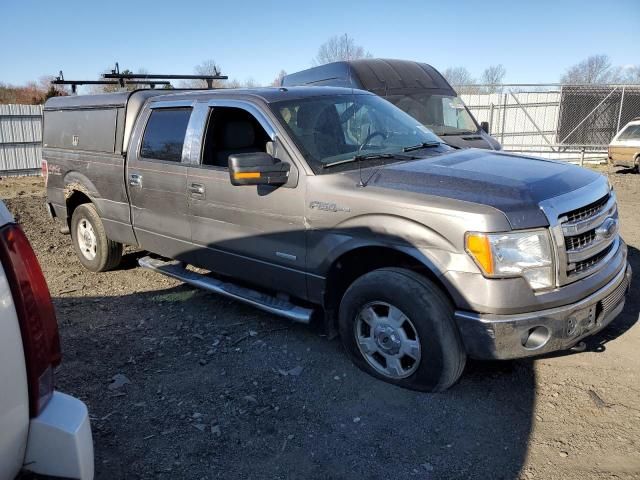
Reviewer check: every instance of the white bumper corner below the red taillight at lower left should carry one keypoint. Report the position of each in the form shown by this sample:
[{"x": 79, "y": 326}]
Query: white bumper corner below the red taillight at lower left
[{"x": 60, "y": 442}]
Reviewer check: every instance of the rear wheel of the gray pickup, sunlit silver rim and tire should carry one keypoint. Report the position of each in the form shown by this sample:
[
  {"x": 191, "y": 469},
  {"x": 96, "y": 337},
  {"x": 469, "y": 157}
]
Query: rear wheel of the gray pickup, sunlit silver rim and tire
[{"x": 94, "y": 249}]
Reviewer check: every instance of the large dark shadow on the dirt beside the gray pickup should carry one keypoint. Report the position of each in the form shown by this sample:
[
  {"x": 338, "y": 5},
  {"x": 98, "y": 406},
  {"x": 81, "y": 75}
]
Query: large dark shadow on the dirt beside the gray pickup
[{"x": 208, "y": 399}]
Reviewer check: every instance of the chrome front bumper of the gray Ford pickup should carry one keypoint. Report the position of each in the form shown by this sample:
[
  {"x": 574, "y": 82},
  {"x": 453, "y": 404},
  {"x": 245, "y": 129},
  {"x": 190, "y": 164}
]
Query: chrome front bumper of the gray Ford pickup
[{"x": 488, "y": 336}]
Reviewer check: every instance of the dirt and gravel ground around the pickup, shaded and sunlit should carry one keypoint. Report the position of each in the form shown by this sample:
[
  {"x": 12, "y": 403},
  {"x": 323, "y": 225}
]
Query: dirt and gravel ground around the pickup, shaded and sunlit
[{"x": 208, "y": 388}]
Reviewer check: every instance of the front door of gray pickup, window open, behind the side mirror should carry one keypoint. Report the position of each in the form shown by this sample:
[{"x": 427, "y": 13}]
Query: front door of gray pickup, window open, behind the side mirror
[{"x": 255, "y": 233}]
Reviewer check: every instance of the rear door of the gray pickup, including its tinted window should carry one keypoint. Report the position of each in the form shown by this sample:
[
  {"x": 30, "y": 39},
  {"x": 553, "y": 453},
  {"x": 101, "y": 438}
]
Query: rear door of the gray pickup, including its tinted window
[{"x": 156, "y": 179}]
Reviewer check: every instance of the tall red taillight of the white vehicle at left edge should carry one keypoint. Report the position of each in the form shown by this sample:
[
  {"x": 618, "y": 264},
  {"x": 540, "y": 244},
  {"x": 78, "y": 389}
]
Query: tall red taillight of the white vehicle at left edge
[{"x": 38, "y": 325}]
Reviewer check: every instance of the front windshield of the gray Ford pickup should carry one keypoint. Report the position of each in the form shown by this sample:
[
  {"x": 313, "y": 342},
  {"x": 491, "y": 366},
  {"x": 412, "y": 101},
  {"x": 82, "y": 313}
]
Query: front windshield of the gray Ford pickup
[{"x": 329, "y": 129}]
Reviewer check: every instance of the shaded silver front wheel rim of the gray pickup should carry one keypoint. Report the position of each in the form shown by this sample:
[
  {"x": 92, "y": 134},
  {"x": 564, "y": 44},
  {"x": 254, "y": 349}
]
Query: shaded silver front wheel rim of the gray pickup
[{"x": 387, "y": 340}]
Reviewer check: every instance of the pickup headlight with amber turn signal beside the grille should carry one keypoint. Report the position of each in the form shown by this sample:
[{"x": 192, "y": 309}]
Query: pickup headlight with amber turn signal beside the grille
[{"x": 514, "y": 254}]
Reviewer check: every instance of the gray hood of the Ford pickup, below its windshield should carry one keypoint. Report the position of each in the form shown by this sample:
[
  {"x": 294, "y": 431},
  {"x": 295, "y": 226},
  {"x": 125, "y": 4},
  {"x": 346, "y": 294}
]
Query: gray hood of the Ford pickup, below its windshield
[{"x": 513, "y": 184}]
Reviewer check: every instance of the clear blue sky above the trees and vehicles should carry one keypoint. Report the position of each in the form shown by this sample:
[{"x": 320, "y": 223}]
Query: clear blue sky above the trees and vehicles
[{"x": 535, "y": 41}]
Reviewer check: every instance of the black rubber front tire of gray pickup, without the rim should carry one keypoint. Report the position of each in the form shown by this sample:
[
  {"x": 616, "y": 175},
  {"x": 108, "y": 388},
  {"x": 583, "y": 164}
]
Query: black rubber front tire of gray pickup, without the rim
[{"x": 430, "y": 313}]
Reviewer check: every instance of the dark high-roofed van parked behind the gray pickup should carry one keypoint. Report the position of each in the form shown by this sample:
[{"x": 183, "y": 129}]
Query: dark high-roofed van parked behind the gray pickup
[{"x": 417, "y": 88}]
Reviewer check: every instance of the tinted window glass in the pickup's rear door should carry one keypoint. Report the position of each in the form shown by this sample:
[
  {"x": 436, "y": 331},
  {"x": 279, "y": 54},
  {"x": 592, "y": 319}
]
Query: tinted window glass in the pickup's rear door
[{"x": 164, "y": 135}]
